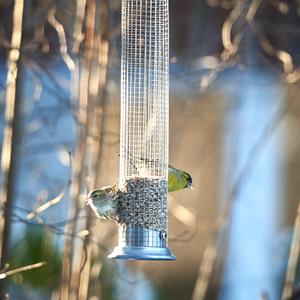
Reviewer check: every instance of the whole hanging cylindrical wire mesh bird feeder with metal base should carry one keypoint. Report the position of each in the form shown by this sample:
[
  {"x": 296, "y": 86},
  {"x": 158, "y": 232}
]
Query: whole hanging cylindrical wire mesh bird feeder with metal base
[{"x": 143, "y": 213}]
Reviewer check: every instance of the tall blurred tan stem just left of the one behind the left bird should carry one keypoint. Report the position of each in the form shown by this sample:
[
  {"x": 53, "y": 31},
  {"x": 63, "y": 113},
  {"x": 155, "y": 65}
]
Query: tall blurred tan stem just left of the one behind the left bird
[{"x": 70, "y": 284}]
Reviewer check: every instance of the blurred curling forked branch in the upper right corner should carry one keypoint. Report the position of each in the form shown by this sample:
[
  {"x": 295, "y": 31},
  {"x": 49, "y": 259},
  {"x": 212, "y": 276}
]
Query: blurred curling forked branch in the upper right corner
[{"x": 243, "y": 13}]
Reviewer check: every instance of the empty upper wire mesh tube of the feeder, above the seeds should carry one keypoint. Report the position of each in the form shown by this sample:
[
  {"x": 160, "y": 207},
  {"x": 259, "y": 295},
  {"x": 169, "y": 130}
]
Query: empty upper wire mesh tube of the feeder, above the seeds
[{"x": 144, "y": 111}]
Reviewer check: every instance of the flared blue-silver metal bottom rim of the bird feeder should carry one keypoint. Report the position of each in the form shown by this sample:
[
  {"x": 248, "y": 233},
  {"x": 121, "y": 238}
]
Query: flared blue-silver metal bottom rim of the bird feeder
[{"x": 141, "y": 253}]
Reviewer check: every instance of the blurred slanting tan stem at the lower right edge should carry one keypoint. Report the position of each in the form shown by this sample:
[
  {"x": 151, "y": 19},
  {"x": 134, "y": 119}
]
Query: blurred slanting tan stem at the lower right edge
[{"x": 293, "y": 260}]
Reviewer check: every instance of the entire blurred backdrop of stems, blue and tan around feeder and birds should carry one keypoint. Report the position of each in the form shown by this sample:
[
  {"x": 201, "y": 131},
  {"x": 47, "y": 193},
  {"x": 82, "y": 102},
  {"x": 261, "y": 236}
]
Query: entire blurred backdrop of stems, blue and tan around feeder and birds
[{"x": 234, "y": 126}]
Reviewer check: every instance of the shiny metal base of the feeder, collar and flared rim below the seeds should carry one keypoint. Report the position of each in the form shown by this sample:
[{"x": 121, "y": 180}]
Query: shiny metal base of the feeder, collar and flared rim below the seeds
[{"x": 140, "y": 243}]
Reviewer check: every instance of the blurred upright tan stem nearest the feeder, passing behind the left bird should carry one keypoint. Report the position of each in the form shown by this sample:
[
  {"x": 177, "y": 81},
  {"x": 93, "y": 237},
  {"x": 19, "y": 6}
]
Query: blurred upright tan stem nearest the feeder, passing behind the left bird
[{"x": 98, "y": 114}]
